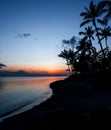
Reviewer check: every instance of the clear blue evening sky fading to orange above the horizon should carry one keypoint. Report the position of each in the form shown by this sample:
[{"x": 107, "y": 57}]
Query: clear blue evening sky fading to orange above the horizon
[{"x": 31, "y": 32}]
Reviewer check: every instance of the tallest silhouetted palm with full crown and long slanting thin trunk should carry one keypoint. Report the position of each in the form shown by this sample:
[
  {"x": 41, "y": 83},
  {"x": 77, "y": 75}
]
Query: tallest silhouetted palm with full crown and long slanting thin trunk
[{"x": 92, "y": 15}]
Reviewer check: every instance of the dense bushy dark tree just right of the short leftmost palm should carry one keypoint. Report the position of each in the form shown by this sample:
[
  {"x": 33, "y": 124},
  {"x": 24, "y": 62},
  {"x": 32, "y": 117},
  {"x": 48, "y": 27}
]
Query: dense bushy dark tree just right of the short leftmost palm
[{"x": 87, "y": 55}]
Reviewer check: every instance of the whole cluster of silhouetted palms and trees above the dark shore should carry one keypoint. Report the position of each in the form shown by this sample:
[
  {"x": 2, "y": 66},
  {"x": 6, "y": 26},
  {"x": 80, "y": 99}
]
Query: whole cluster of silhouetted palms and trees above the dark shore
[{"x": 83, "y": 56}]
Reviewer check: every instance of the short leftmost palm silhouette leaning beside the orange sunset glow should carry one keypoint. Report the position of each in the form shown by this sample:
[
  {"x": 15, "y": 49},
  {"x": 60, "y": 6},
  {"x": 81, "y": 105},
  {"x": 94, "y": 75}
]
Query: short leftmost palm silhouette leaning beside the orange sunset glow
[{"x": 65, "y": 55}]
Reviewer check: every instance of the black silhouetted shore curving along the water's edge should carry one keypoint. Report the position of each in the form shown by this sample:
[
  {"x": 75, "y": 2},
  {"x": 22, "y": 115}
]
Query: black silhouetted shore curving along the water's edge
[{"x": 77, "y": 102}]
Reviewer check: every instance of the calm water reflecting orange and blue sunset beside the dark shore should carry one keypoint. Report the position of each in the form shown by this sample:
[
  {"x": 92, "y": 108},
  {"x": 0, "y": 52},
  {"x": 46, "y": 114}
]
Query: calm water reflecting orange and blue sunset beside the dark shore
[{"x": 18, "y": 94}]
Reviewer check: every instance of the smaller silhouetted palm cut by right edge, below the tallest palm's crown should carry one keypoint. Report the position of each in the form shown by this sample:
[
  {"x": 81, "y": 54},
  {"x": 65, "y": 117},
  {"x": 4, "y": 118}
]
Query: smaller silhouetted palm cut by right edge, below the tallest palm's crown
[{"x": 105, "y": 33}]
